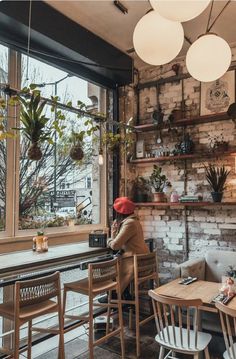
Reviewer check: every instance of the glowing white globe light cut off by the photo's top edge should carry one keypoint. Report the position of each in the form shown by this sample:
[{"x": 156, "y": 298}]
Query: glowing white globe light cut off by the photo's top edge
[{"x": 179, "y": 10}]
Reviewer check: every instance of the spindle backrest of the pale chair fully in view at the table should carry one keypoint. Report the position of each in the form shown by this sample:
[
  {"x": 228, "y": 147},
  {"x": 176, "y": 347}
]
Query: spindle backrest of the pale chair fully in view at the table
[{"x": 176, "y": 324}]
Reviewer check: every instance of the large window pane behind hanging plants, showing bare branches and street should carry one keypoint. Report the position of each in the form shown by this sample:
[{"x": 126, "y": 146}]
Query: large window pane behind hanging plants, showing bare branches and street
[{"x": 53, "y": 190}]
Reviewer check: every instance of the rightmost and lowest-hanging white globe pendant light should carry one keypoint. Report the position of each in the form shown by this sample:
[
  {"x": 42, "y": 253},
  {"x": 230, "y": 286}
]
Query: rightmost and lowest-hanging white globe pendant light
[{"x": 208, "y": 58}]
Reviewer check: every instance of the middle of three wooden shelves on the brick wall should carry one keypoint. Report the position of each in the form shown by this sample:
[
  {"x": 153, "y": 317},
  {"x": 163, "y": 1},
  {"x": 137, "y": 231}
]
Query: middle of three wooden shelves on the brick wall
[{"x": 181, "y": 157}]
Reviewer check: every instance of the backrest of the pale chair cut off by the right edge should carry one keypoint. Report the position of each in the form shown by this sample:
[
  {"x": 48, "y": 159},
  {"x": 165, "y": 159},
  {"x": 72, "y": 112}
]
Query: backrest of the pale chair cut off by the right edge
[{"x": 228, "y": 323}]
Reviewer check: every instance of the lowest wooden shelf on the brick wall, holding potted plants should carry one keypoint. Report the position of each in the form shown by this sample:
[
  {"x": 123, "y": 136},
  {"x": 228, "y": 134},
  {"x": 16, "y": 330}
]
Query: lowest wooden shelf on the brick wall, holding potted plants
[{"x": 185, "y": 204}]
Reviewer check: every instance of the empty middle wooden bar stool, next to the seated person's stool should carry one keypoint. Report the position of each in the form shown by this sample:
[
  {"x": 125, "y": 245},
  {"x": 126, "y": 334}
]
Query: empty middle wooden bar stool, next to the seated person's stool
[{"x": 102, "y": 277}]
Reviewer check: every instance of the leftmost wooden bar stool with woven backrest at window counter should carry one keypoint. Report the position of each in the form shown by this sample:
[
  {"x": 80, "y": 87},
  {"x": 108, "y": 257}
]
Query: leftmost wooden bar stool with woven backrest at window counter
[{"x": 32, "y": 299}]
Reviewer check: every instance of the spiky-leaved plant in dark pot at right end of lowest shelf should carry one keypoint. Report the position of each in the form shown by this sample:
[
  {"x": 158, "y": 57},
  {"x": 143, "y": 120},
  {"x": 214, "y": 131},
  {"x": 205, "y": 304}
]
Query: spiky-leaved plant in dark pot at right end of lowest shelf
[{"x": 216, "y": 177}]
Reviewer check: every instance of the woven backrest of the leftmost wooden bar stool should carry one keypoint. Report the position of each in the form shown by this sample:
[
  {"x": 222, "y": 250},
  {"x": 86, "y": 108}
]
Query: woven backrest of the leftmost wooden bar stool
[{"x": 35, "y": 291}]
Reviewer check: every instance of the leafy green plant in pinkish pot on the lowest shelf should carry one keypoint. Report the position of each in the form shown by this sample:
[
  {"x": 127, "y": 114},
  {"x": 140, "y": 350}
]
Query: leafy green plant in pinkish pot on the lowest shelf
[{"x": 158, "y": 181}]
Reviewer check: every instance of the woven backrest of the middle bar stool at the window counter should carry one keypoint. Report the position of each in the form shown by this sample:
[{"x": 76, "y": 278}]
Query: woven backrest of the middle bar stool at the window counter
[{"x": 102, "y": 272}]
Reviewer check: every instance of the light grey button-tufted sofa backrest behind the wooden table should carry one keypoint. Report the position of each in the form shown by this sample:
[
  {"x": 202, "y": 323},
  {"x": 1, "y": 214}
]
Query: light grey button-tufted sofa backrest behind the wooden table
[{"x": 217, "y": 264}]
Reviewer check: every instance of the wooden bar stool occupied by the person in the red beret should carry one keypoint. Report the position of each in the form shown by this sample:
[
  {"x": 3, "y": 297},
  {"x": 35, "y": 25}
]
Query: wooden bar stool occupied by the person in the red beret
[{"x": 145, "y": 270}]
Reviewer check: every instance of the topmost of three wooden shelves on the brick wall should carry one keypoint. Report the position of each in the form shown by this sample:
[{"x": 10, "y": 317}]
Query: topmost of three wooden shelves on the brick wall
[{"x": 186, "y": 122}]
